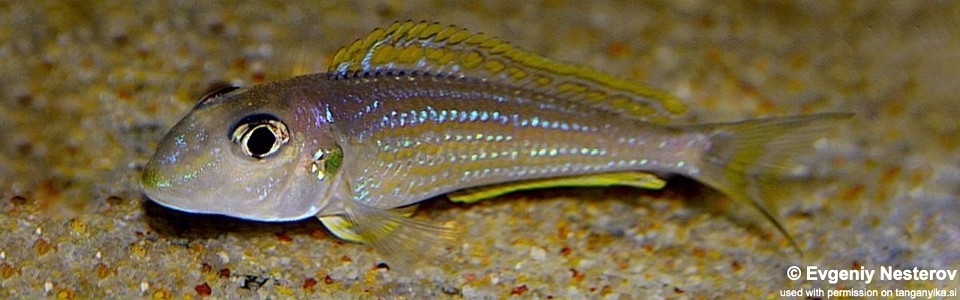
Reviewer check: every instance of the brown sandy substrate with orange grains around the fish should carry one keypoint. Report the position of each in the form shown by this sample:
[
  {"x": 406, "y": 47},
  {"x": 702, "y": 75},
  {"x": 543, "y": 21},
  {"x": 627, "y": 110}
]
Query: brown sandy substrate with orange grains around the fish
[{"x": 88, "y": 89}]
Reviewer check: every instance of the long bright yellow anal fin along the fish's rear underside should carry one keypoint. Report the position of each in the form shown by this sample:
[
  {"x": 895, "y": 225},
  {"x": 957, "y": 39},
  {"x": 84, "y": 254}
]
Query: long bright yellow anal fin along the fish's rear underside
[{"x": 634, "y": 179}]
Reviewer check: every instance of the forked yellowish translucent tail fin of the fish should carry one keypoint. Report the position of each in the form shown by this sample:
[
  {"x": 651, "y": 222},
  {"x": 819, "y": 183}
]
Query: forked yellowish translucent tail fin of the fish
[{"x": 746, "y": 157}]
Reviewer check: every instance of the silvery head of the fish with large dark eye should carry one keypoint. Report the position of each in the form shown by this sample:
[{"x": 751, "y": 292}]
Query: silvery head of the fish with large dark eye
[{"x": 245, "y": 153}]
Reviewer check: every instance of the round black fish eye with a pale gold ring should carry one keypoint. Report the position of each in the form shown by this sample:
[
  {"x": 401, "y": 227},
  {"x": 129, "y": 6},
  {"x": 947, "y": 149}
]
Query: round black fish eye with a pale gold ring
[{"x": 260, "y": 135}]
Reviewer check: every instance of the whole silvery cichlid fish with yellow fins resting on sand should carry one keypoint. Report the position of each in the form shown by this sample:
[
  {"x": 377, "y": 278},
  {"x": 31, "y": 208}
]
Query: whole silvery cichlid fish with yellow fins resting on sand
[{"x": 418, "y": 110}]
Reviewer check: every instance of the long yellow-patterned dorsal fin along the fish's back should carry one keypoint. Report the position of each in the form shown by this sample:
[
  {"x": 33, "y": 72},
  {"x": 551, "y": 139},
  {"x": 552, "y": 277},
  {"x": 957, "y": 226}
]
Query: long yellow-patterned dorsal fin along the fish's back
[{"x": 412, "y": 48}]
